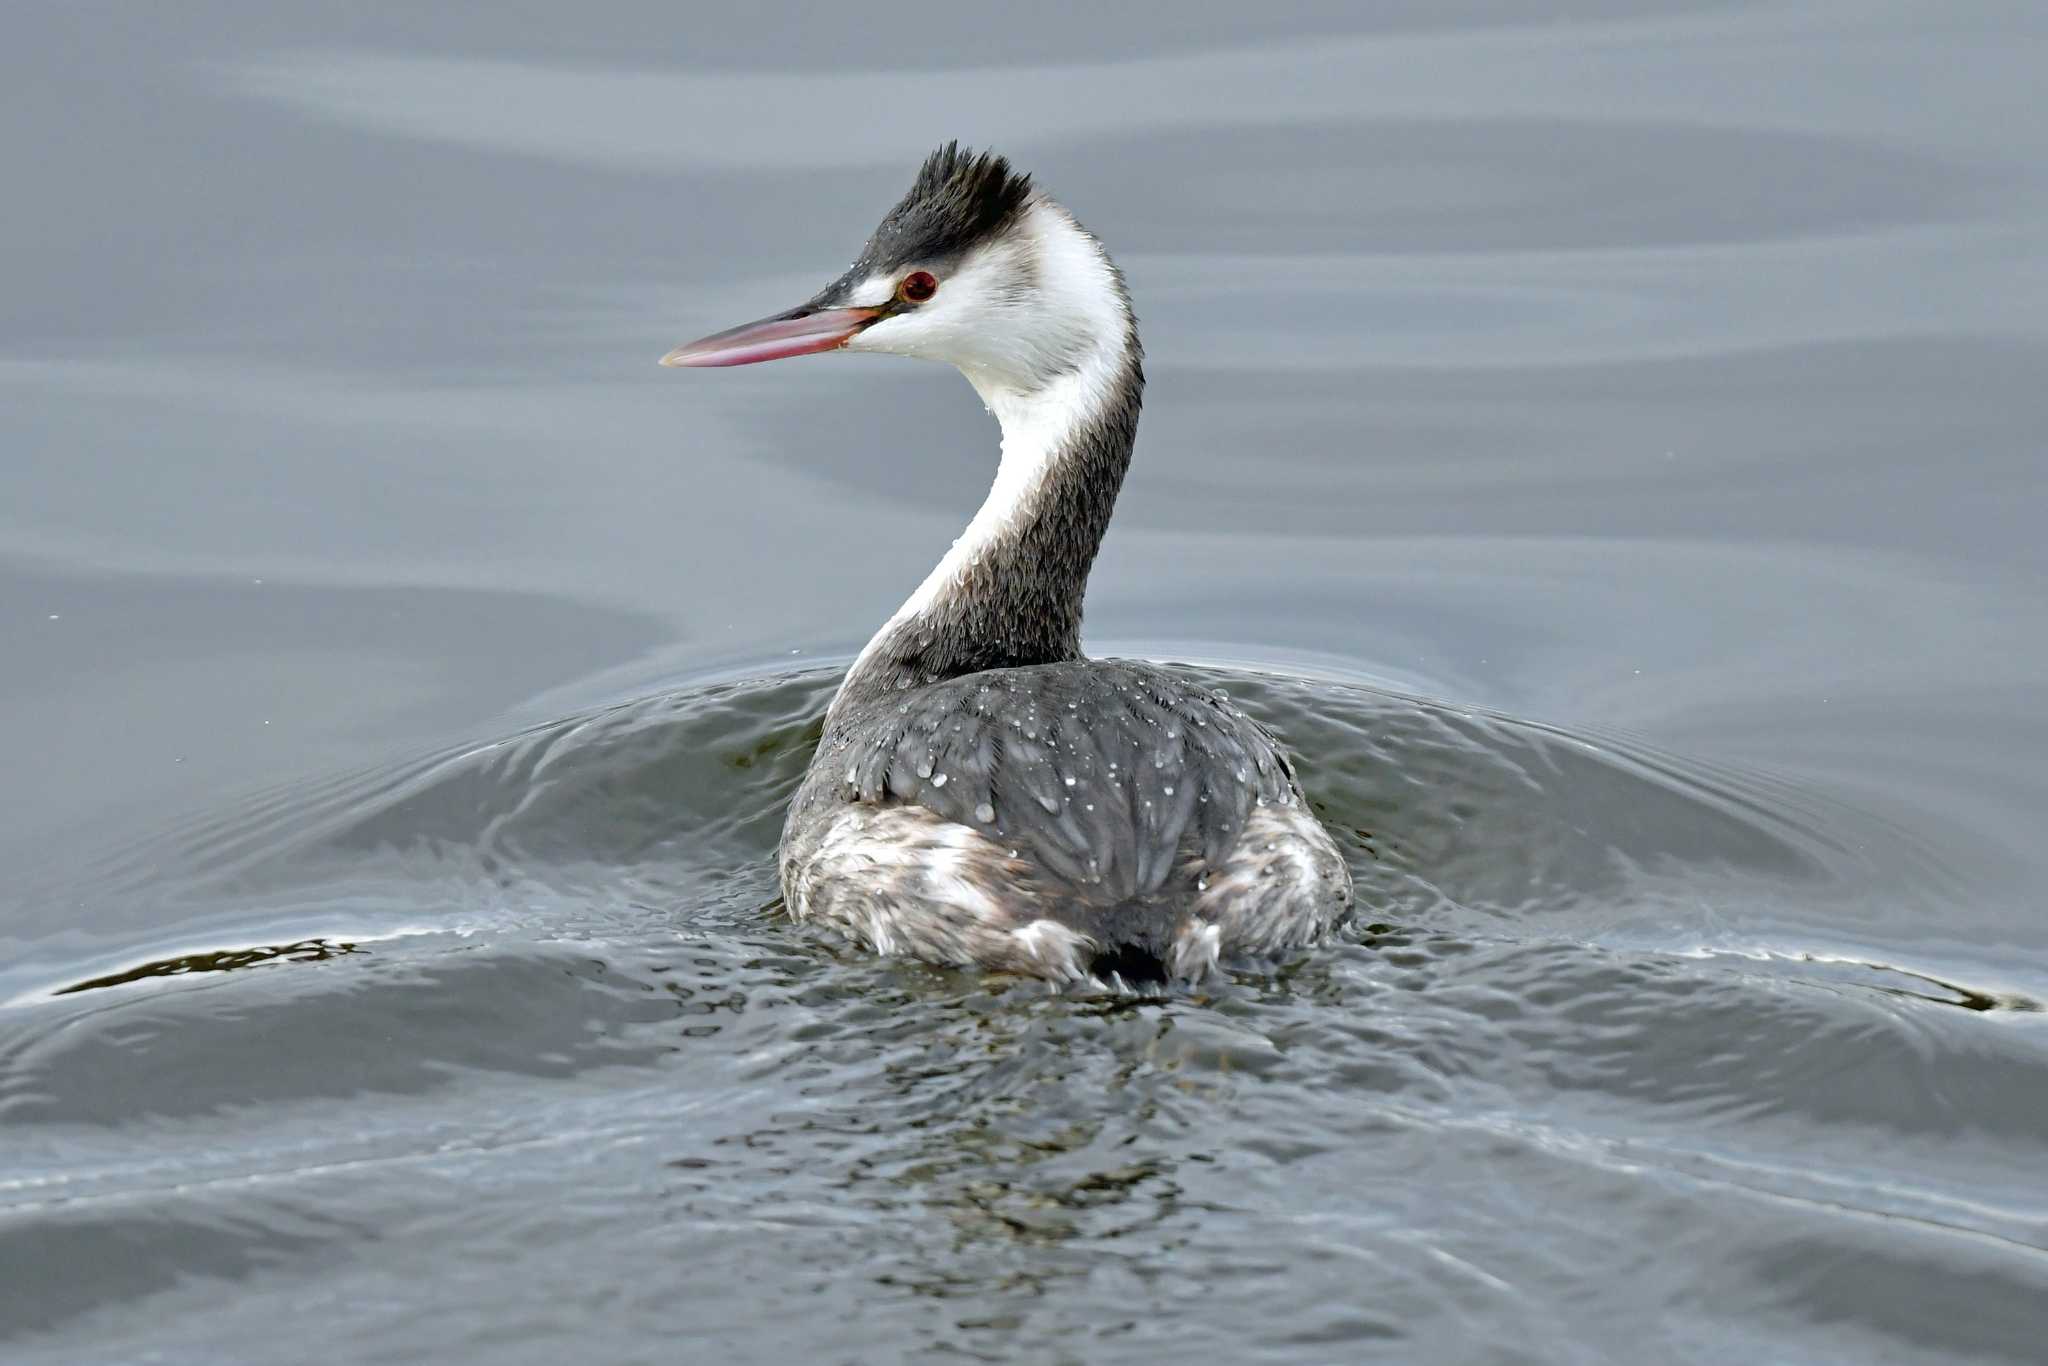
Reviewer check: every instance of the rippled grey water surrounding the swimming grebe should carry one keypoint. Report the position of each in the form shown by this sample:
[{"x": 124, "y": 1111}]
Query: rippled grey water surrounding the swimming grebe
[{"x": 1603, "y": 437}]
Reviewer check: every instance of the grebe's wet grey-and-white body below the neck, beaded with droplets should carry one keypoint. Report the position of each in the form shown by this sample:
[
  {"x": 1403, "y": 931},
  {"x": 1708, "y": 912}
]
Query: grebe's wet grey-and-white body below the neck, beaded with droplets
[{"x": 1148, "y": 820}]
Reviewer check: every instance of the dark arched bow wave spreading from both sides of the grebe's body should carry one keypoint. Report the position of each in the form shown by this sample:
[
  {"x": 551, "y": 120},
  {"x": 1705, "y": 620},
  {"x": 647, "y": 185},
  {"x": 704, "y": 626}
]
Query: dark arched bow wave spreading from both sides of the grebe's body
[{"x": 667, "y": 810}]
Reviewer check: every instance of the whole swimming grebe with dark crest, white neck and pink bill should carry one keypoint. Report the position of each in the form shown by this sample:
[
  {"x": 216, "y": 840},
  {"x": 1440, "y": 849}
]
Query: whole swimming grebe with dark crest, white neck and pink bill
[{"x": 986, "y": 796}]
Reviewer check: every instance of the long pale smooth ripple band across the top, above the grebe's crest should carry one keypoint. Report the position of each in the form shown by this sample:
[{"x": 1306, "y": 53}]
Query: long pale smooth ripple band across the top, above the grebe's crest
[{"x": 1672, "y": 69}]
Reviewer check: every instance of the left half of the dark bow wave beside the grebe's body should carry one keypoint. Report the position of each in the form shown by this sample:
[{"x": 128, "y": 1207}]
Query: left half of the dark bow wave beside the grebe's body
[{"x": 669, "y": 794}]
